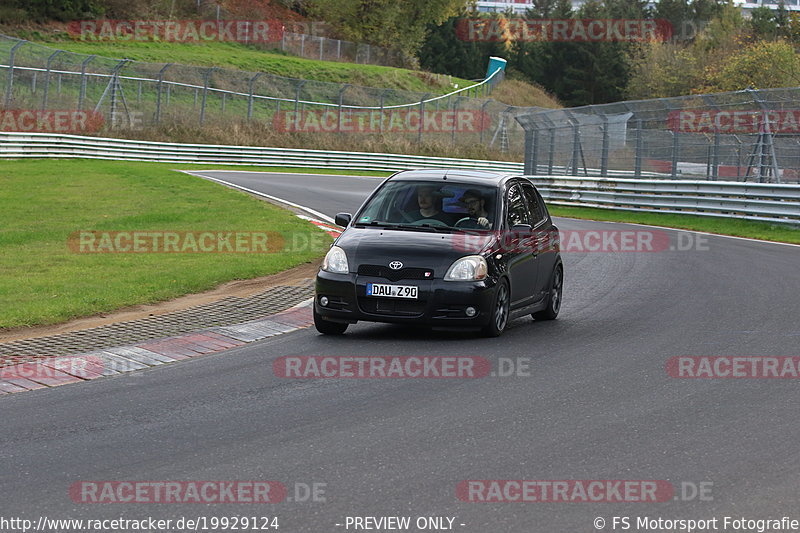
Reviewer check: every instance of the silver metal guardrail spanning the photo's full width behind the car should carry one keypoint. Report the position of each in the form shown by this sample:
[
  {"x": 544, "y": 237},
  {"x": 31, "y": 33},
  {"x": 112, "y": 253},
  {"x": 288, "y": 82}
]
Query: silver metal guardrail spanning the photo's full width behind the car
[{"x": 755, "y": 201}]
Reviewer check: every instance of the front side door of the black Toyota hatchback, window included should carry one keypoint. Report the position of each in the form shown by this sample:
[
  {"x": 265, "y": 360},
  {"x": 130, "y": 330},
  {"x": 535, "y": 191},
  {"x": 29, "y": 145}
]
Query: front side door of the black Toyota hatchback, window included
[{"x": 521, "y": 259}]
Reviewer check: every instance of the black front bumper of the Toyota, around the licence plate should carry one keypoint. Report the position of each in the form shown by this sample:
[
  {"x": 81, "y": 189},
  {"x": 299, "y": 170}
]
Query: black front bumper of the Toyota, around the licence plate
[{"x": 439, "y": 302}]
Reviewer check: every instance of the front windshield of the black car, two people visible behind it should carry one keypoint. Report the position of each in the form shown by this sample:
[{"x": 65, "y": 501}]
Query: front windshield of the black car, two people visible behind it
[{"x": 434, "y": 205}]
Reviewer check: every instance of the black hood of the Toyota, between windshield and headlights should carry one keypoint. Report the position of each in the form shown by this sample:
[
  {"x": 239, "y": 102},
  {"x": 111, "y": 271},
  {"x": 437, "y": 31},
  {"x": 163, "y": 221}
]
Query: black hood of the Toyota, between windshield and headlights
[{"x": 415, "y": 249}]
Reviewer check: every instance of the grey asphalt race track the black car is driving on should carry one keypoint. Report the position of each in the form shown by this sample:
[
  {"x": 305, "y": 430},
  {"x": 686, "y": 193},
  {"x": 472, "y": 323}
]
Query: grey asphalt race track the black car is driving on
[{"x": 595, "y": 404}]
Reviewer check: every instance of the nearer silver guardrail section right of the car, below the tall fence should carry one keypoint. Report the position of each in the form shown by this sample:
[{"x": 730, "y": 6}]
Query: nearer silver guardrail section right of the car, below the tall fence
[{"x": 754, "y": 201}]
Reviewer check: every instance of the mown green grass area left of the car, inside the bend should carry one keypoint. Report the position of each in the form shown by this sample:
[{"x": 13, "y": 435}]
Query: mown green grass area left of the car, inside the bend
[{"x": 43, "y": 202}]
